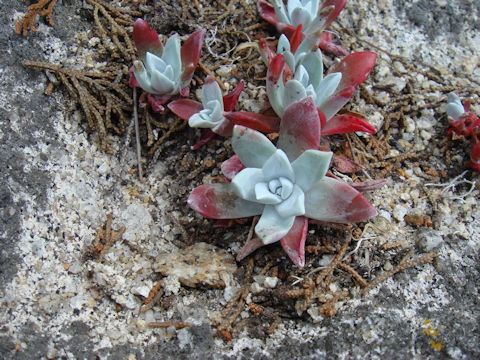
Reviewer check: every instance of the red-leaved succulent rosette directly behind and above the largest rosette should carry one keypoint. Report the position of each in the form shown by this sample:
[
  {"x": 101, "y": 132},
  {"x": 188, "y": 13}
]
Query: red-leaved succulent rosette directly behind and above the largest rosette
[{"x": 330, "y": 92}]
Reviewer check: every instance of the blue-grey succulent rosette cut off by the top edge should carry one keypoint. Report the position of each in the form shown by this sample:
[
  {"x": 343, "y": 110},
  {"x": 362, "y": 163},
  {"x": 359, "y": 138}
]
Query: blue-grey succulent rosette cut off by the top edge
[{"x": 312, "y": 16}]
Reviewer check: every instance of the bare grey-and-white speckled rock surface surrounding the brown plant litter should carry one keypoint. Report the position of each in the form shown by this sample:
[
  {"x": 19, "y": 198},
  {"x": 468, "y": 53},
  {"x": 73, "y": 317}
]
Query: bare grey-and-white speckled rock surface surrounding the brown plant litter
[{"x": 55, "y": 194}]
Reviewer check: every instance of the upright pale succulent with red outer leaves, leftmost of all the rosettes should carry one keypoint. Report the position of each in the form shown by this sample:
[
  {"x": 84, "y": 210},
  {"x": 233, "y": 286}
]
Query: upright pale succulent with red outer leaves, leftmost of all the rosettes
[{"x": 164, "y": 71}]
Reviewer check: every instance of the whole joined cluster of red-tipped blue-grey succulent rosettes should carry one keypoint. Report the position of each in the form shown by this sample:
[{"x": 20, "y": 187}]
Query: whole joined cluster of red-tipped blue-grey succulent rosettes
[{"x": 284, "y": 184}]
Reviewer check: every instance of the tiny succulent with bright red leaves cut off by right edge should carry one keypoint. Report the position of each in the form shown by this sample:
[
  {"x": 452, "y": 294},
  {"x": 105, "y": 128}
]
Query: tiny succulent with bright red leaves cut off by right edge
[{"x": 465, "y": 123}]
